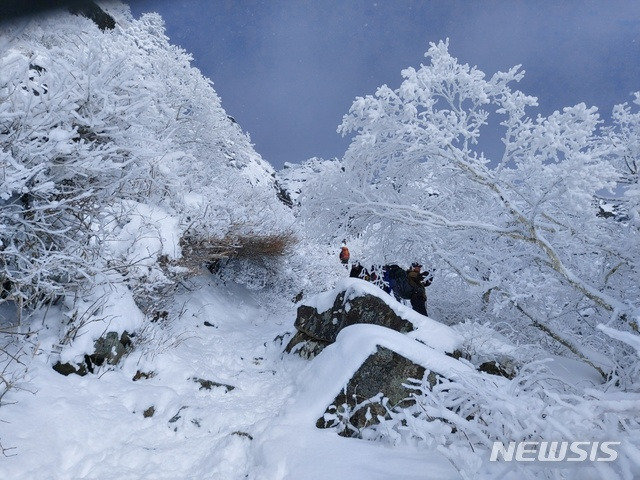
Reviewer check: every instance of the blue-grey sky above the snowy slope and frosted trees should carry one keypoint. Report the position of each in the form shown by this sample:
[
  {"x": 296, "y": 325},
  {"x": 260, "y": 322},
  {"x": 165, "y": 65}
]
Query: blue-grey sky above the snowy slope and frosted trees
[{"x": 289, "y": 70}]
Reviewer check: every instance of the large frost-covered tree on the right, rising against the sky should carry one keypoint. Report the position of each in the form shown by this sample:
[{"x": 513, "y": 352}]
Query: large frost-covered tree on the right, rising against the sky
[{"x": 522, "y": 230}]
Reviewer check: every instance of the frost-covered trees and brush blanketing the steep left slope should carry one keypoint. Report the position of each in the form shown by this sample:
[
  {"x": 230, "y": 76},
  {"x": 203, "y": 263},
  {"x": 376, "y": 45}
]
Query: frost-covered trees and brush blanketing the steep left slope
[{"x": 115, "y": 153}]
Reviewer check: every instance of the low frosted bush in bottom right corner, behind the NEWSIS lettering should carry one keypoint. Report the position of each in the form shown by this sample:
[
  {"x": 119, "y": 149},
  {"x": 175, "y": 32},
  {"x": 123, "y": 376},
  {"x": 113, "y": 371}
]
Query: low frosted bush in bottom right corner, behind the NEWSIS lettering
[{"x": 463, "y": 418}]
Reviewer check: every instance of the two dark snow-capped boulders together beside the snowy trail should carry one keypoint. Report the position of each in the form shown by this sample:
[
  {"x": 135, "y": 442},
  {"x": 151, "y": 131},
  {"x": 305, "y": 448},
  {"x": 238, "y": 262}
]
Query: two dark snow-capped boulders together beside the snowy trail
[{"x": 390, "y": 366}]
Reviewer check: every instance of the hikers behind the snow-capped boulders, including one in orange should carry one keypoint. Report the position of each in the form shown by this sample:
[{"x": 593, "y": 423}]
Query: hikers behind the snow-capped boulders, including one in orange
[{"x": 403, "y": 284}]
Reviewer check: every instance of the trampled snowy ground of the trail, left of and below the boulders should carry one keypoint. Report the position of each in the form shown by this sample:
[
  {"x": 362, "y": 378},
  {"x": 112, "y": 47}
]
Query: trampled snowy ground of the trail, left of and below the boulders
[{"x": 93, "y": 427}]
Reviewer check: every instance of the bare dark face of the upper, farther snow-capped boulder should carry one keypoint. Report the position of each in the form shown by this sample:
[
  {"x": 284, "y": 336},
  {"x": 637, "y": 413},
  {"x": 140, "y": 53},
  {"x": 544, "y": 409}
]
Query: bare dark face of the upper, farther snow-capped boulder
[{"x": 323, "y": 328}]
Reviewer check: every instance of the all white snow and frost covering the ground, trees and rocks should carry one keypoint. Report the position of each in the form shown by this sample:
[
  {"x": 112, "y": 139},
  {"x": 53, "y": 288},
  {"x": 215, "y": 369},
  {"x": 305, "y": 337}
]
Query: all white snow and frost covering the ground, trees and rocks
[{"x": 208, "y": 392}]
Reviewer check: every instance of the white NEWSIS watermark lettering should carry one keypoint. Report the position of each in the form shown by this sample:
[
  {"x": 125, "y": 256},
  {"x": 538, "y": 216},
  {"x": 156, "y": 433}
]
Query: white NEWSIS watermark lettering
[{"x": 543, "y": 451}]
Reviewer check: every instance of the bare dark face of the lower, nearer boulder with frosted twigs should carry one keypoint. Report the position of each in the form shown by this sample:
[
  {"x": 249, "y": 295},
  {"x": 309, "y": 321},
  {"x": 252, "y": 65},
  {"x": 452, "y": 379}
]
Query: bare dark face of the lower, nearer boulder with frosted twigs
[{"x": 378, "y": 385}]
